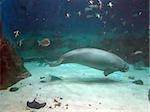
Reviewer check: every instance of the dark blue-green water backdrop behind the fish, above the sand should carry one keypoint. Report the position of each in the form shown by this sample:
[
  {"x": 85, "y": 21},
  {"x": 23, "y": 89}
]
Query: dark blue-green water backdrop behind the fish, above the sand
[{"x": 47, "y": 19}]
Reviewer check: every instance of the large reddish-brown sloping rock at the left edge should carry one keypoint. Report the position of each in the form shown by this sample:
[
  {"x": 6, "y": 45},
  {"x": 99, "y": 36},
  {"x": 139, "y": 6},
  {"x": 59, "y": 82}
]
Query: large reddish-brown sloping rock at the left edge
[{"x": 11, "y": 65}]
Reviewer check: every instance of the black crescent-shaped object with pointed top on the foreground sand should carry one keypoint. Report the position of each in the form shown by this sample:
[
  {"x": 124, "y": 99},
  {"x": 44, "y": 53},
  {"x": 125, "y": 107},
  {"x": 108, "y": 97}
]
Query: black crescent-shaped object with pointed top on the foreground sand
[{"x": 35, "y": 105}]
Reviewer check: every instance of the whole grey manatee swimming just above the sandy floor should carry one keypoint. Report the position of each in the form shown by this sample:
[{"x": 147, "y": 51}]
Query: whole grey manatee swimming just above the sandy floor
[{"x": 94, "y": 58}]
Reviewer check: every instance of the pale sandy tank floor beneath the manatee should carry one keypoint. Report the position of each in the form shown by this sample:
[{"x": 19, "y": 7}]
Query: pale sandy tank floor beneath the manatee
[{"x": 82, "y": 89}]
